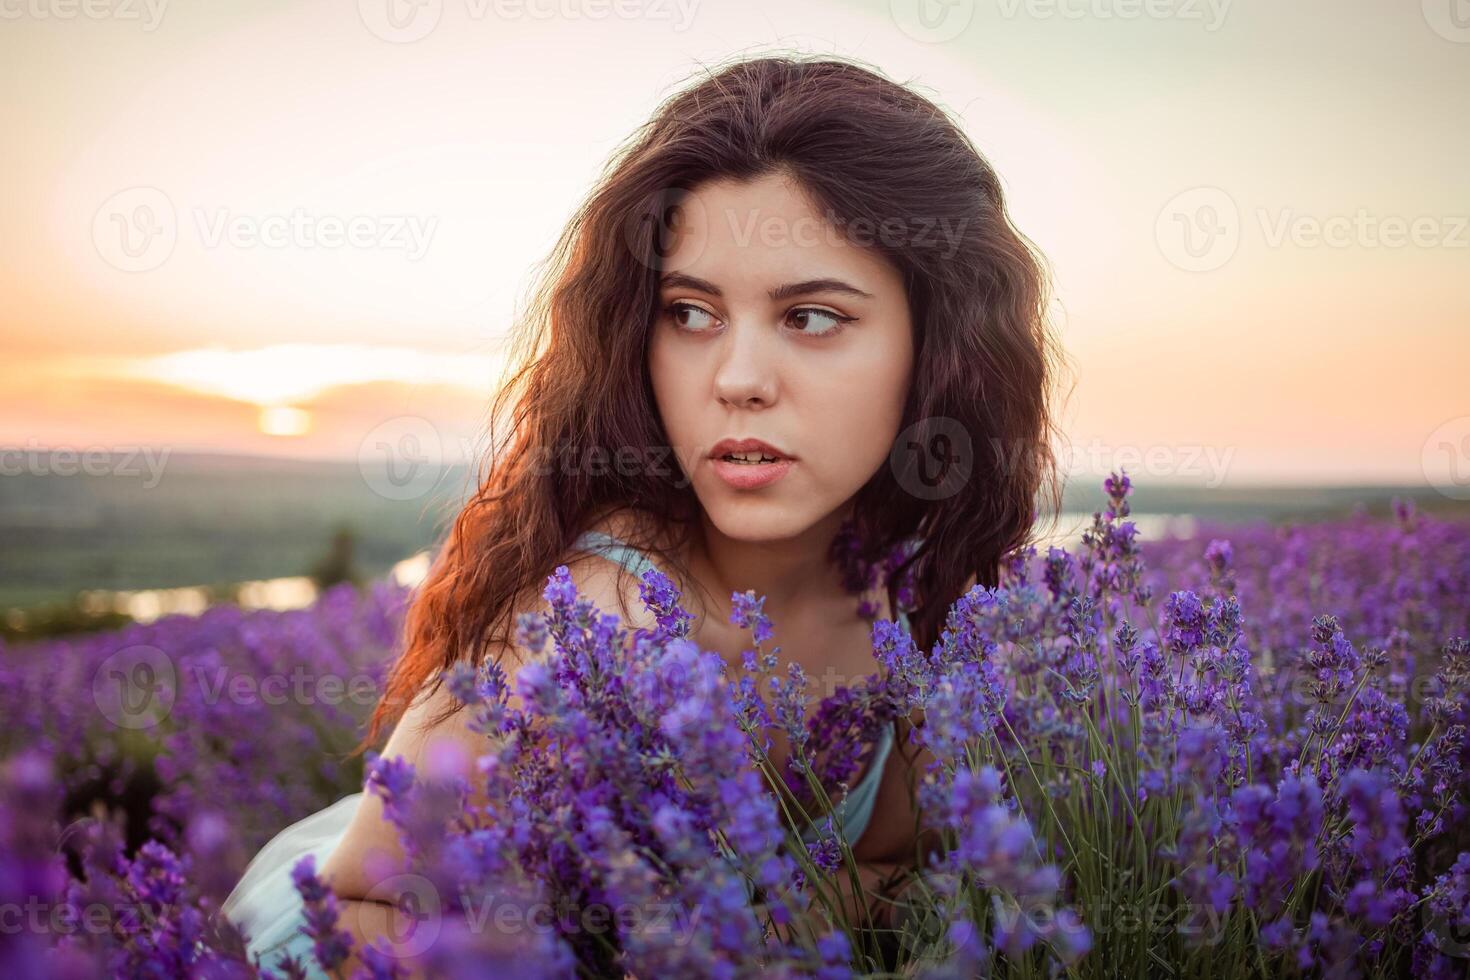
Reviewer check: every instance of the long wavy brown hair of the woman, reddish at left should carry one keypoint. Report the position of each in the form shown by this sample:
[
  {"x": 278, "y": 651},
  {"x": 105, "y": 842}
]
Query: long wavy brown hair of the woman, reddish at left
[{"x": 867, "y": 151}]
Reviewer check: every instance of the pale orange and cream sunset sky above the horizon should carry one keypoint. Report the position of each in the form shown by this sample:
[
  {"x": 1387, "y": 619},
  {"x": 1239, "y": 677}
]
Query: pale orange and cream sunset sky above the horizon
[{"x": 1255, "y": 211}]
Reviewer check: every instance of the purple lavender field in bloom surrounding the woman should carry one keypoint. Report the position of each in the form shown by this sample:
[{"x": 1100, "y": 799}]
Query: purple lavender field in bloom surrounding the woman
[{"x": 1238, "y": 754}]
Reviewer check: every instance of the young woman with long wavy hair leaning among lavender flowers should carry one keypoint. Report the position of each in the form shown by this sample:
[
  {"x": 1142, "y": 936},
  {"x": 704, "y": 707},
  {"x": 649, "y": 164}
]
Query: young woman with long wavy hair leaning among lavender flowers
[{"x": 795, "y": 314}]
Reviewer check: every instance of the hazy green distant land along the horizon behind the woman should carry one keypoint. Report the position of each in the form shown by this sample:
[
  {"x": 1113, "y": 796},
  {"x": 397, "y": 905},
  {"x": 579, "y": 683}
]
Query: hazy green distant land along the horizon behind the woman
[{"x": 218, "y": 519}]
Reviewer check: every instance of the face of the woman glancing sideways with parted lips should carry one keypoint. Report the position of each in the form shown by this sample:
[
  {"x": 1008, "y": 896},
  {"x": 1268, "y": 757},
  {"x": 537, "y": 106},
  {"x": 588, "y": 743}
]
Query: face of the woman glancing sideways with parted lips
[{"x": 774, "y": 328}]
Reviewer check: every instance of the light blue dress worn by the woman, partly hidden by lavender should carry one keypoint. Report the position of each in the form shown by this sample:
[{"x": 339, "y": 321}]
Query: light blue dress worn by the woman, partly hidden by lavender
[{"x": 267, "y": 906}]
